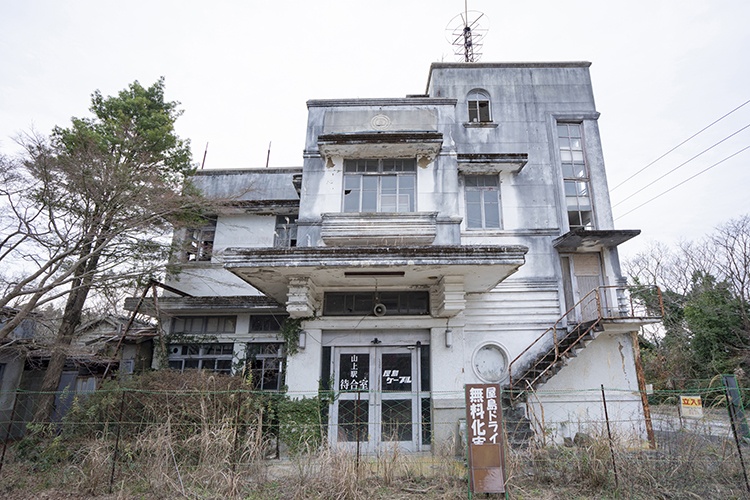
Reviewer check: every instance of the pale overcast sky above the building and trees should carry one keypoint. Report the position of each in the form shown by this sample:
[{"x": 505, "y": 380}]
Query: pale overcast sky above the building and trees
[{"x": 662, "y": 70}]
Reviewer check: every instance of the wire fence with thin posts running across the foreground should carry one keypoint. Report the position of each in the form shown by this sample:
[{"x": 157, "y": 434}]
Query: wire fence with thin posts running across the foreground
[{"x": 214, "y": 434}]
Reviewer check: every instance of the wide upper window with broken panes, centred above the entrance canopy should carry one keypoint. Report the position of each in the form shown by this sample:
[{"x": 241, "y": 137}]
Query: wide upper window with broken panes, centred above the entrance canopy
[{"x": 380, "y": 185}]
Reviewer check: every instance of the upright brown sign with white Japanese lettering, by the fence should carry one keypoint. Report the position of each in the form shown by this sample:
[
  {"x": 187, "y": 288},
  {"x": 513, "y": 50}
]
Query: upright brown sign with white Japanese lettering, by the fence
[{"x": 485, "y": 438}]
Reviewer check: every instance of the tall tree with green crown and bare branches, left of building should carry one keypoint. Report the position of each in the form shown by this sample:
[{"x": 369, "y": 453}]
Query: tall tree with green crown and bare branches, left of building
[{"x": 93, "y": 205}]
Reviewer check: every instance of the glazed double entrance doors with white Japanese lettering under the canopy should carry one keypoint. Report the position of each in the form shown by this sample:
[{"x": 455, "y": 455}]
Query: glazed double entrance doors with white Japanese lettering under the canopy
[{"x": 380, "y": 398}]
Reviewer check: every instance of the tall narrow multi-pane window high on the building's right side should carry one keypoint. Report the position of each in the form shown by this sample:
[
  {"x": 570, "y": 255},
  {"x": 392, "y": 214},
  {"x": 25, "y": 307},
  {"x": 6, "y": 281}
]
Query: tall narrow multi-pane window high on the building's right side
[{"x": 575, "y": 176}]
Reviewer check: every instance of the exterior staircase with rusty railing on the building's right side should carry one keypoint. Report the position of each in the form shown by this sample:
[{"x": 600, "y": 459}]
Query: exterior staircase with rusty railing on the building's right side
[{"x": 557, "y": 345}]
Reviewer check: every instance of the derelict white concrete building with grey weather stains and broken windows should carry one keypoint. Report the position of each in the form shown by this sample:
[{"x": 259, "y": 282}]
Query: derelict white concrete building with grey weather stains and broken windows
[{"x": 463, "y": 235}]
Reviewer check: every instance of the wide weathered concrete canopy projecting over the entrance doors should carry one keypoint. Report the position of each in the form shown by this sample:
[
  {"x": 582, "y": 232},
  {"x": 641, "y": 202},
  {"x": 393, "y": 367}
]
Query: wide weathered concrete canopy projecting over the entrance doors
[{"x": 349, "y": 268}]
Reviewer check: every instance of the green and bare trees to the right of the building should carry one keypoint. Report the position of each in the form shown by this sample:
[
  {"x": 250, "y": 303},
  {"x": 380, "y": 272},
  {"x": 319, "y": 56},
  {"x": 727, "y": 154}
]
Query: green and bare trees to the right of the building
[{"x": 706, "y": 288}]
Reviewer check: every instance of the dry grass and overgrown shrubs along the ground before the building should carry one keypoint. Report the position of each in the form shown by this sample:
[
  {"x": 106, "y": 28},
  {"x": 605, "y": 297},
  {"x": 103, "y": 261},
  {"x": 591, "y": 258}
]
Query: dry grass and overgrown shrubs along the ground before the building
[{"x": 200, "y": 435}]
